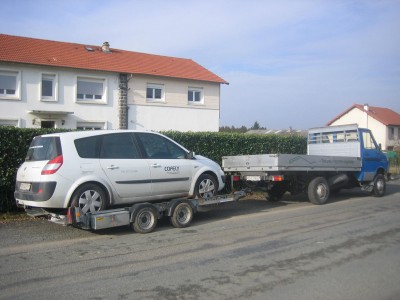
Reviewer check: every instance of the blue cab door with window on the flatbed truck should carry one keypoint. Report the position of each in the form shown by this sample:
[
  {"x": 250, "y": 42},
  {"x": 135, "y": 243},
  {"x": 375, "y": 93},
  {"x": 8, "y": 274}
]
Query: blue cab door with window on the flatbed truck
[{"x": 372, "y": 156}]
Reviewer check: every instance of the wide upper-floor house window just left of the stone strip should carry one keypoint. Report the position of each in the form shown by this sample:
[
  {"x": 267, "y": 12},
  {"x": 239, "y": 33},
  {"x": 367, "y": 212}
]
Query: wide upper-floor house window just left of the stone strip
[{"x": 91, "y": 89}]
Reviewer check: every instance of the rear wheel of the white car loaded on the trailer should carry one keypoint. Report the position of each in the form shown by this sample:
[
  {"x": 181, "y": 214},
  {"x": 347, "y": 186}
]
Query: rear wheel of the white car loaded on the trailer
[{"x": 90, "y": 198}]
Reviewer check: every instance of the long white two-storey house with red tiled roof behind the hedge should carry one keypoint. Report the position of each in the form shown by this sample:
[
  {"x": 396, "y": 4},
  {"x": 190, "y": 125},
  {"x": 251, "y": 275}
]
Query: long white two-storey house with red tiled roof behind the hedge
[{"x": 65, "y": 85}]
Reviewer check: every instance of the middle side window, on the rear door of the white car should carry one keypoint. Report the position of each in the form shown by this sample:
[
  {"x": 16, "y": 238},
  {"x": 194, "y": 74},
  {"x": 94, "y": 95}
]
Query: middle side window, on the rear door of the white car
[{"x": 119, "y": 146}]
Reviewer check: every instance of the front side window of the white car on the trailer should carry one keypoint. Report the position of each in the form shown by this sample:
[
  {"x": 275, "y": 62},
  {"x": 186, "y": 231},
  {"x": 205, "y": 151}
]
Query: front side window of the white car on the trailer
[{"x": 157, "y": 146}]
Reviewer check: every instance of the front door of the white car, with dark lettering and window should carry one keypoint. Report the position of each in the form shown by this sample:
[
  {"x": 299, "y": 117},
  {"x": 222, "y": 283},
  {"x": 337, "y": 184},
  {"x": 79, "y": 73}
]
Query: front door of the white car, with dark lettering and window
[{"x": 171, "y": 172}]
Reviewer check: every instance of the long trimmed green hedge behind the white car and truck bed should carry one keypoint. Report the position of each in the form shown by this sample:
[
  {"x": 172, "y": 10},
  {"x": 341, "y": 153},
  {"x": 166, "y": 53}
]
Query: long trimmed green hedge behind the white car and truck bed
[{"x": 14, "y": 143}]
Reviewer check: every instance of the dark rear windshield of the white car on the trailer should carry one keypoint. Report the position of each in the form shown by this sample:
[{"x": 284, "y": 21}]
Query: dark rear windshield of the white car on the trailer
[{"x": 44, "y": 148}]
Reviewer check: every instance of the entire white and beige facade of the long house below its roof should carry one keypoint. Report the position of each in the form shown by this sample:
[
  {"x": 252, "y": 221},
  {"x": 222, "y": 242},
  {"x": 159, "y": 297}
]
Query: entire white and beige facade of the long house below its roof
[{"x": 176, "y": 104}]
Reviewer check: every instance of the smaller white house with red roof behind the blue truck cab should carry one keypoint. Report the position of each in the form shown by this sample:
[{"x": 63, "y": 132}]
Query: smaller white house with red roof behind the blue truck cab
[{"x": 383, "y": 122}]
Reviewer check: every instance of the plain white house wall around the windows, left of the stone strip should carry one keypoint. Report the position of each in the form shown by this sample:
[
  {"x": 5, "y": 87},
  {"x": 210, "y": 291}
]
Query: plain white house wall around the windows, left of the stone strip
[{"x": 66, "y": 99}]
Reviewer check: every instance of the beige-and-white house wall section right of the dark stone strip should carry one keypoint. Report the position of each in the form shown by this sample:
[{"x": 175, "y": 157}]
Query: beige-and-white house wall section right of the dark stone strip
[{"x": 174, "y": 110}]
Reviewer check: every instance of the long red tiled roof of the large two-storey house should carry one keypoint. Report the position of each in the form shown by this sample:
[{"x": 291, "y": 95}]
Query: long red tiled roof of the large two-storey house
[{"x": 61, "y": 54}]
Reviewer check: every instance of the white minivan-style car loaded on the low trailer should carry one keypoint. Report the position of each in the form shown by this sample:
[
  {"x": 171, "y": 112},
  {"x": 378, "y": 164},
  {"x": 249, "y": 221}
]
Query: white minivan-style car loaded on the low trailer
[{"x": 100, "y": 169}]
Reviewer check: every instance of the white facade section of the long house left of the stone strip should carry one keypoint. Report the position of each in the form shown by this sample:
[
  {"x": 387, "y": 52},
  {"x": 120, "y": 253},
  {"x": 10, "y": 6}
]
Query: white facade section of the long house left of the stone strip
[{"x": 28, "y": 108}]
